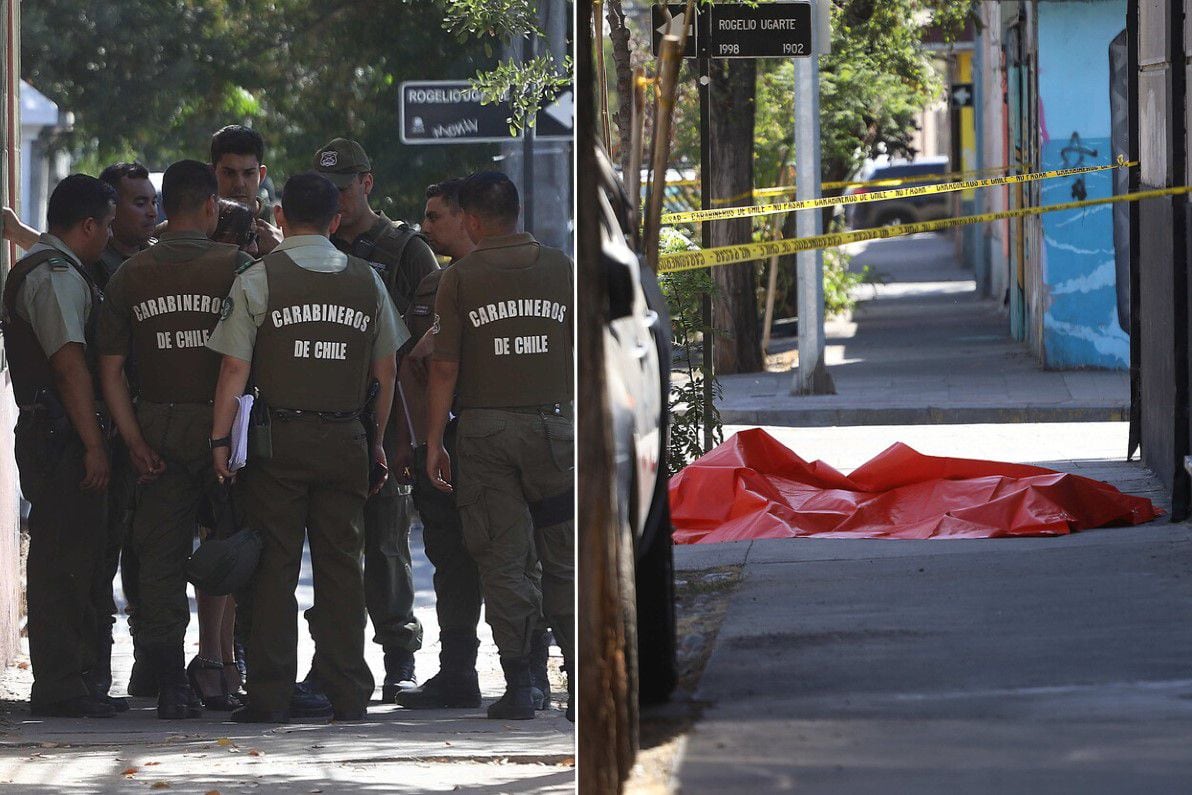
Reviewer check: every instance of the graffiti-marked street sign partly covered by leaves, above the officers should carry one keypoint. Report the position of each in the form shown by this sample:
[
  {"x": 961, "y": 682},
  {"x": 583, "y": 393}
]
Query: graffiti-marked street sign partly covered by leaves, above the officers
[{"x": 450, "y": 113}]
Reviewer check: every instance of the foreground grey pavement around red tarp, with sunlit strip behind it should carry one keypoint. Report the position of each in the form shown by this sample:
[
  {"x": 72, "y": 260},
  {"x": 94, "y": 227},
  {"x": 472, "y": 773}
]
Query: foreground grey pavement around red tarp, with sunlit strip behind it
[{"x": 1011, "y": 666}]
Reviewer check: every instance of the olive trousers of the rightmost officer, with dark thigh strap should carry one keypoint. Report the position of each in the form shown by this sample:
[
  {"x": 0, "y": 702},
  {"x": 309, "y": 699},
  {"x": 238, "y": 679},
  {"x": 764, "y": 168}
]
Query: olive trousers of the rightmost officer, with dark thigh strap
[{"x": 508, "y": 462}]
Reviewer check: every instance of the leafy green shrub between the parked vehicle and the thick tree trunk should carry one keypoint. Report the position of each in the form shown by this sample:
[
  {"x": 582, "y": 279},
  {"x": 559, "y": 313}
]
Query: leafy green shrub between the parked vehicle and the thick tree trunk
[{"x": 685, "y": 293}]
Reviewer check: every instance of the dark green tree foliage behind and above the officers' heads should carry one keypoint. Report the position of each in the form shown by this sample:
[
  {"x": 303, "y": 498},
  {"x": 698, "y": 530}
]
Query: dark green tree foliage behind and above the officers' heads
[{"x": 153, "y": 79}]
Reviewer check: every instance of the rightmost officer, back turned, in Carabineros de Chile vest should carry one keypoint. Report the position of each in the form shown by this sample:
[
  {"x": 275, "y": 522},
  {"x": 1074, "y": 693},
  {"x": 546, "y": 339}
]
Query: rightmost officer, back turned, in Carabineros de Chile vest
[{"x": 504, "y": 340}]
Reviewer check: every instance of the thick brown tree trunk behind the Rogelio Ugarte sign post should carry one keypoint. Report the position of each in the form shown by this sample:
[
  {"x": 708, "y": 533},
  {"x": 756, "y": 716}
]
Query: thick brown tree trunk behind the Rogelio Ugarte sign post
[{"x": 735, "y": 314}]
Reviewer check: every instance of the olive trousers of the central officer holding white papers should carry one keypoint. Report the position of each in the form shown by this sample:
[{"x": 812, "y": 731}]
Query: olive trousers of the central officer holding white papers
[{"x": 315, "y": 483}]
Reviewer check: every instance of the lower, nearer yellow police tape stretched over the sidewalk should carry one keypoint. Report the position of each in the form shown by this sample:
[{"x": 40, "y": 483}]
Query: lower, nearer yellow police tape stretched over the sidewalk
[{"x": 732, "y": 254}]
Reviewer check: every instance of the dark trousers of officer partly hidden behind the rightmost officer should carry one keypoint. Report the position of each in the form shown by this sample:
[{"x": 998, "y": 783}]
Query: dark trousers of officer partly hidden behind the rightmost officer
[{"x": 457, "y": 580}]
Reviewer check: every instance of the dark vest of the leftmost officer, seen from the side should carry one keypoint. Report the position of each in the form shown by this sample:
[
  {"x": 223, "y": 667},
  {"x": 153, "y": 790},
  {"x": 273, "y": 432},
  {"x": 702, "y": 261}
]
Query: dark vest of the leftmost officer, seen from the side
[{"x": 30, "y": 367}]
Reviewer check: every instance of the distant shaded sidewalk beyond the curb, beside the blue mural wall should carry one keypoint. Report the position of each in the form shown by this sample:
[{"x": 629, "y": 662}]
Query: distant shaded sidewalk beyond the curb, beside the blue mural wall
[{"x": 923, "y": 349}]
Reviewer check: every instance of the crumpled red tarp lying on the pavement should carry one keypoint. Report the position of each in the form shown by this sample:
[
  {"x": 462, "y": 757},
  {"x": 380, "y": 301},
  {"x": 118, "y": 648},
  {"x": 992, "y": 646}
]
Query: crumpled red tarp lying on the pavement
[{"x": 752, "y": 487}]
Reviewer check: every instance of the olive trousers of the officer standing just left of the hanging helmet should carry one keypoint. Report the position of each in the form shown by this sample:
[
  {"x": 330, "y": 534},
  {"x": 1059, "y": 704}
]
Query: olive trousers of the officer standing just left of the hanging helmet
[{"x": 167, "y": 514}]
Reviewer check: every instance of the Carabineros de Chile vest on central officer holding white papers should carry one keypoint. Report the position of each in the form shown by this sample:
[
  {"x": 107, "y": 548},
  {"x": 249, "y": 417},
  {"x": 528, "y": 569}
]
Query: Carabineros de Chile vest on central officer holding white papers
[{"x": 314, "y": 351}]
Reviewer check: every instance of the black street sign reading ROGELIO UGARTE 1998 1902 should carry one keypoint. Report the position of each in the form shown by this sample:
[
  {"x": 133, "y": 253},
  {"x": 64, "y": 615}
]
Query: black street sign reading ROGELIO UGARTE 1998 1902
[{"x": 774, "y": 30}]
